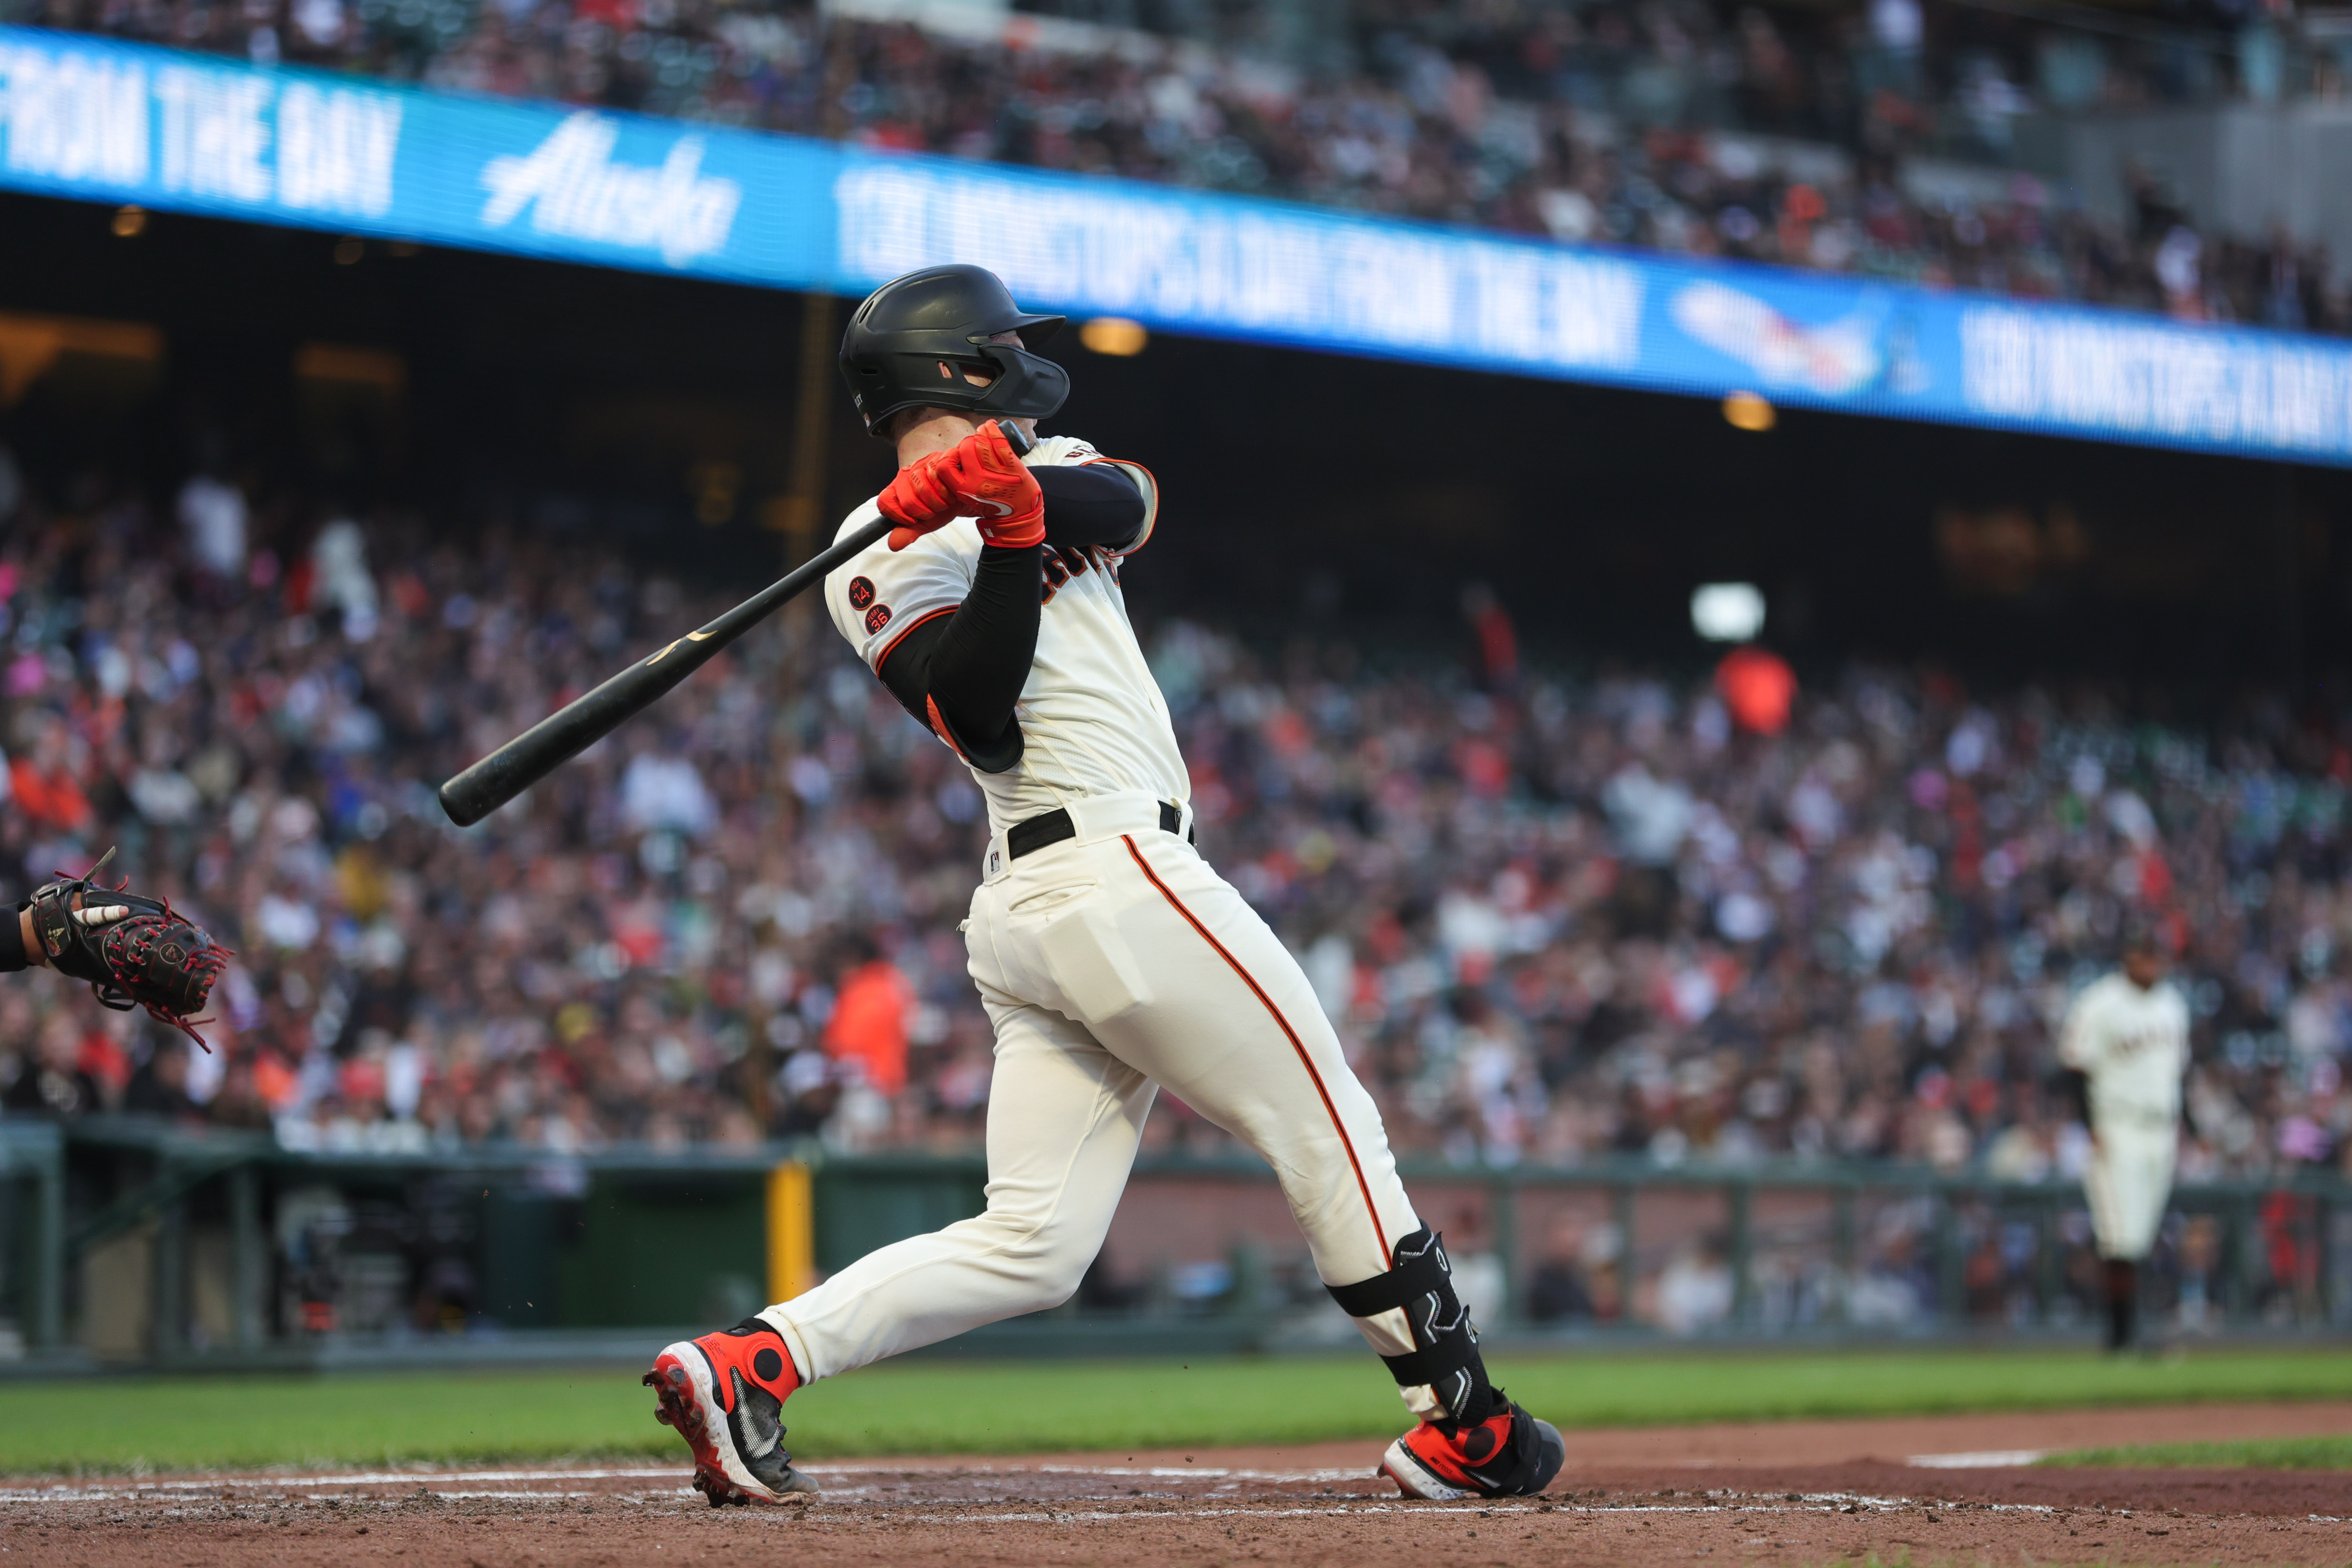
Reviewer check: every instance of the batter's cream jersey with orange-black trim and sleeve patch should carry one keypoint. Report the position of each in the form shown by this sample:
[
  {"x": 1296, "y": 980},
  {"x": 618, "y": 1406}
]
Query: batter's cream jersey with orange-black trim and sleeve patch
[{"x": 1090, "y": 713}]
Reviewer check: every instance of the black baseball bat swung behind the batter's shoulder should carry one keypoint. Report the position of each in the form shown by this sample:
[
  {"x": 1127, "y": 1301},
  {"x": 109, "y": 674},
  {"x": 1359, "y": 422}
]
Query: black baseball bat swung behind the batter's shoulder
[{"x": 584, "y": 721}]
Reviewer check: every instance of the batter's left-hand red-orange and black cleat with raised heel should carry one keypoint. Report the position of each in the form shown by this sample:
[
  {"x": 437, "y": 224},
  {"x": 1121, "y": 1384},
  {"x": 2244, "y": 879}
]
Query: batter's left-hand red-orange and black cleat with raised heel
[{"x": 726, "y": 1395}]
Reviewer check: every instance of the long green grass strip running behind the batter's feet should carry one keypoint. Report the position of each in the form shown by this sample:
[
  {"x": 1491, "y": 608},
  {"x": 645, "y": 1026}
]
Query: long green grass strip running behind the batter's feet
[{"x": 1022, "y": 1407}]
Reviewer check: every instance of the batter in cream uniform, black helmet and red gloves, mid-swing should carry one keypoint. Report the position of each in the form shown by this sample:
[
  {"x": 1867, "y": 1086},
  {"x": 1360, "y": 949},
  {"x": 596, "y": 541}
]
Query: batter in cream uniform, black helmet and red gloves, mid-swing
[{"x": 1109, "y": 956}]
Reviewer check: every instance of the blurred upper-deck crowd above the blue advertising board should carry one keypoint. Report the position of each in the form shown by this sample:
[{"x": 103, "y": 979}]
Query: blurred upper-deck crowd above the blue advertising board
[{"x": 1685, "y": 126}]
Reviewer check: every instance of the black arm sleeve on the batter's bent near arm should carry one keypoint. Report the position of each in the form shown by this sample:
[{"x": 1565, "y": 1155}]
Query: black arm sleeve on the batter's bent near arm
[{"x": 963, "y": 674}]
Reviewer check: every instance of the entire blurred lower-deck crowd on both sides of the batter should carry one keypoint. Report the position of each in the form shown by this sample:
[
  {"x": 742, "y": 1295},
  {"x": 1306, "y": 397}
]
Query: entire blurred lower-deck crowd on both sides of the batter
[{"x": 1556, "y": 920}]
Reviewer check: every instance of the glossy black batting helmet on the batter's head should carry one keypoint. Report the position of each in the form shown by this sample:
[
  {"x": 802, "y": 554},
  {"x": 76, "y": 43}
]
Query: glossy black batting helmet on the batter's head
[{"x": 914, "y": 337}]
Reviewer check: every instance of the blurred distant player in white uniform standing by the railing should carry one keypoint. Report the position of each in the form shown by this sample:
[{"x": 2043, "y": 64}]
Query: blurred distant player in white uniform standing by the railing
[{"x": 2127, "y": 1043}]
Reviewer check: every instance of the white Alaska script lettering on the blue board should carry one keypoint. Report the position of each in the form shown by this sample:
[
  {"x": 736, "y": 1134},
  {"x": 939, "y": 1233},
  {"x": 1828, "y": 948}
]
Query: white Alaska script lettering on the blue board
[{"x": 577, "y": 192}]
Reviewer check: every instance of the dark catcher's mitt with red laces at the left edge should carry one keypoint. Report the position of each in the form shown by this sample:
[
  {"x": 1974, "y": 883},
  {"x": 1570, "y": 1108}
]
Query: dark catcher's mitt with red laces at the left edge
[{"x": 131, "y": 949}]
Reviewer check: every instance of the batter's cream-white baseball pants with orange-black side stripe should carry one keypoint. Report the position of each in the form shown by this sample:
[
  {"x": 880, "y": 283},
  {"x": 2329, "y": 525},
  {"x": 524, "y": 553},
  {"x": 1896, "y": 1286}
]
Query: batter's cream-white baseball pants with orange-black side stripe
[{"x": 1109, "y": 965}]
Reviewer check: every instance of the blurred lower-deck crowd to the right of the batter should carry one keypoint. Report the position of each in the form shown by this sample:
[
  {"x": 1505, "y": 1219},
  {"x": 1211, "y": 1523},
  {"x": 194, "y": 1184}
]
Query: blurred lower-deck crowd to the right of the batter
[{"x": 1568, "y": 920}]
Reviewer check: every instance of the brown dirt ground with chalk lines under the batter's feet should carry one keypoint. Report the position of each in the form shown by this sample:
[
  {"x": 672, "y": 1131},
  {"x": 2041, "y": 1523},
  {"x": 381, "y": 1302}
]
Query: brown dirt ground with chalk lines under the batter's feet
[{"x": 1760, "y": 1494}]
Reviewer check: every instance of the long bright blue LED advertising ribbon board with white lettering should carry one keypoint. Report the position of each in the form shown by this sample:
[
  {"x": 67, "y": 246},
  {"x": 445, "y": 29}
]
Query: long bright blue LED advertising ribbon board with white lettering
[{"x": 105, "y": 121}]
